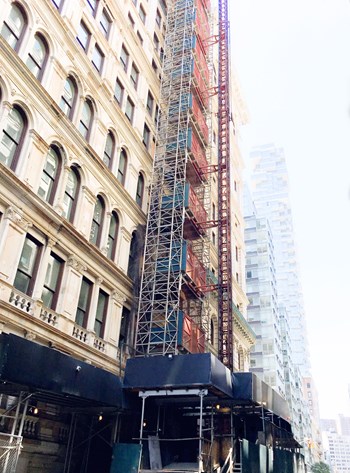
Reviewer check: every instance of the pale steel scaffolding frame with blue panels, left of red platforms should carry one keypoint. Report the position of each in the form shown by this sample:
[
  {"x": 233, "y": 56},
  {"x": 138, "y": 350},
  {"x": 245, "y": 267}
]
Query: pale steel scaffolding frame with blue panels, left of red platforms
[{"x": 162, "y": 276}]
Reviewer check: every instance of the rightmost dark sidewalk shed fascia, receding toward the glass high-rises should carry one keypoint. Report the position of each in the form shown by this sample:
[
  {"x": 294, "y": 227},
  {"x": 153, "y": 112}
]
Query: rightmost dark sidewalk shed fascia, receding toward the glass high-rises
[{"x": 249, "y": 389}]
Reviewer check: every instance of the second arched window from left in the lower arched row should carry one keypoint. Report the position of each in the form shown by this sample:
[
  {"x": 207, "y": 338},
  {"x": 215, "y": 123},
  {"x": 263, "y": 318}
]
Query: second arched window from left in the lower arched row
[{"x": 50, "y": 175}]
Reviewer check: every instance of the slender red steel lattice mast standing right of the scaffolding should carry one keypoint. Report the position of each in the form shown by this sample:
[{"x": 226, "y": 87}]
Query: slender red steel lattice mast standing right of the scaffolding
[{"x": 224, "y": 208}]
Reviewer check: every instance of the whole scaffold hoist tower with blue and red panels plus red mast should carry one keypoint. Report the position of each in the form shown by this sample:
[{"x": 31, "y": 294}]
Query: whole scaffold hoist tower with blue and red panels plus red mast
[{"x": 172, "y": 313}]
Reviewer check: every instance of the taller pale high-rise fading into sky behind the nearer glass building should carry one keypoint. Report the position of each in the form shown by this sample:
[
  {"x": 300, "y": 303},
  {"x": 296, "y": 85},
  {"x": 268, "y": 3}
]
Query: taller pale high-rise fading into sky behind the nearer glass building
[{"x": 270, "y": 194}]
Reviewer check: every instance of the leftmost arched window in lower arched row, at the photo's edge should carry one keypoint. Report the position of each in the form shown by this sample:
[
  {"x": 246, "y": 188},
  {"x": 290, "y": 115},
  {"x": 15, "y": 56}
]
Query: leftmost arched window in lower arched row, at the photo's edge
[{"x": 12, "y": 137}]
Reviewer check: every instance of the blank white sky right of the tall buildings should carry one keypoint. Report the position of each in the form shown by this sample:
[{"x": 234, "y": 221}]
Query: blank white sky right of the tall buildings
[{"x": 293, "y": 62}]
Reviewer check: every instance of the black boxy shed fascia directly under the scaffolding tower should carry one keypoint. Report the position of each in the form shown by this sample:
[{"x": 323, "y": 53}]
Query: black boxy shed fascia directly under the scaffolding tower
[{"x": 171, "y": 372}]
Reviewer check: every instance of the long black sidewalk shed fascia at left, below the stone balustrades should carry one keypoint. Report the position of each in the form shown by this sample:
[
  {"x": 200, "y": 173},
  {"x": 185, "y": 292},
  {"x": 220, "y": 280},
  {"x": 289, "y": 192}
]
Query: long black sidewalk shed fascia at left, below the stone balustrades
[{"x": 43, "y": 370}]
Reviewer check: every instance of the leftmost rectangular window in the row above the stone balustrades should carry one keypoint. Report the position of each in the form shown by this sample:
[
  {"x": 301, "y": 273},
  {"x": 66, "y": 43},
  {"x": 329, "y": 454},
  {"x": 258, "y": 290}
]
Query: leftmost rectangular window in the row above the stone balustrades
[{"x": 28, "y": 266}]
